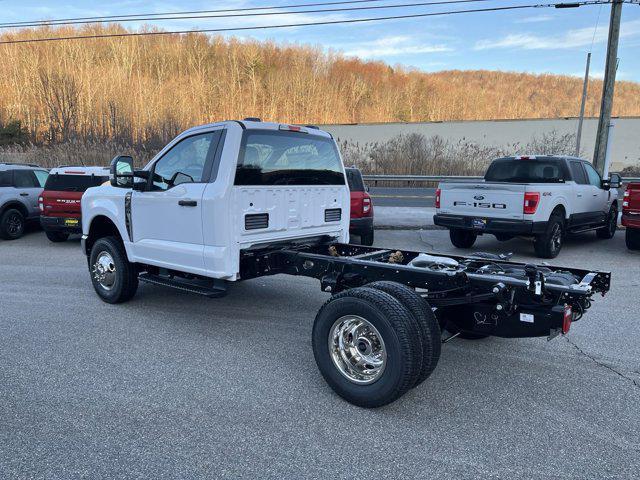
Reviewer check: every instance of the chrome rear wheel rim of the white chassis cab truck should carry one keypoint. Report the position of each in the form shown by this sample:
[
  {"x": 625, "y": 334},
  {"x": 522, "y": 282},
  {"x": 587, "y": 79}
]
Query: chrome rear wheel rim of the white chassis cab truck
[{"x": 357, "y": 349}]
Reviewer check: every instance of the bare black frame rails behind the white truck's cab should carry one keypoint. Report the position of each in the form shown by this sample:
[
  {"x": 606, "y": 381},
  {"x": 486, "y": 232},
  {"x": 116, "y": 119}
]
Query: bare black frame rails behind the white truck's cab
[{"x": 481, "y": 294}]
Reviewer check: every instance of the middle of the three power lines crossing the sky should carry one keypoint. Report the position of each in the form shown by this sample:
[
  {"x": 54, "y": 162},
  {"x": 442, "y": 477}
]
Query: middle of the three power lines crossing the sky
[{"x": 259, "y": 14}]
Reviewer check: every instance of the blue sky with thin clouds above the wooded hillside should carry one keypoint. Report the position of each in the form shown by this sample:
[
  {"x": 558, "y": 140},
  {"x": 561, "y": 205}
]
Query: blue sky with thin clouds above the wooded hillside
[{"x": 539, "y": 40}]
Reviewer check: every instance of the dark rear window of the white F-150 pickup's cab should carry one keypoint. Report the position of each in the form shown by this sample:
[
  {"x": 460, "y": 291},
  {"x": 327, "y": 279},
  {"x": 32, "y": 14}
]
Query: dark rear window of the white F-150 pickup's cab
[{"x": 525, "y": 171}]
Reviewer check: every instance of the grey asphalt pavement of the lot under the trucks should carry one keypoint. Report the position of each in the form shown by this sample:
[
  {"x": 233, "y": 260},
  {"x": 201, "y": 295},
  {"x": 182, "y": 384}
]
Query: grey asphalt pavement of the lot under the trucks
[{"x": 172, "y": 385}]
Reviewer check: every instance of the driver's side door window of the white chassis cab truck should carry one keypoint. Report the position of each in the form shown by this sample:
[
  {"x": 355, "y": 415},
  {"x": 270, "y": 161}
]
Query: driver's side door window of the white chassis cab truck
[{"x": 184, "y": 163}]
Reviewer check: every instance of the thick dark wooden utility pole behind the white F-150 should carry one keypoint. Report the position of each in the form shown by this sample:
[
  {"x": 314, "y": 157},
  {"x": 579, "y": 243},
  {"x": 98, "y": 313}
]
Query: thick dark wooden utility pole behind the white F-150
[{"x": 608, "y": 87}]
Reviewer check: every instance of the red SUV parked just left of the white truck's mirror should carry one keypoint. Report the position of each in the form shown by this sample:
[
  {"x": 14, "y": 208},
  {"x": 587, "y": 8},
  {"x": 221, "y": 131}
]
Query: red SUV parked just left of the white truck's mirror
[{"x": 60, "y": 201}]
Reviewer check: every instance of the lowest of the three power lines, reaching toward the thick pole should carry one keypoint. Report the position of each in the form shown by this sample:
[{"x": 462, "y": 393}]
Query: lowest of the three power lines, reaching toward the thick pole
[{"x": 307, "y": 24}]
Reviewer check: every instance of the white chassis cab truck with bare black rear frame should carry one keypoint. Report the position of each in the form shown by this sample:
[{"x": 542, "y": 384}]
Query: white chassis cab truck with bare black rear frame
[{"x": 238, "y": 200}]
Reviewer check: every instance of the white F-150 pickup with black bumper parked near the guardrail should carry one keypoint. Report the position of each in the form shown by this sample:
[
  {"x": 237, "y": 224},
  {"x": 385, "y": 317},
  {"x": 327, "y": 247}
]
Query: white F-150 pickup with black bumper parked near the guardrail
[{"x": 543, "y": 197}]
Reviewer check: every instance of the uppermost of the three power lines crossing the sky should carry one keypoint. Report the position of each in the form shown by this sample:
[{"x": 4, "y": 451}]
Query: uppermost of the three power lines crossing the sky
[{"x": 191, "y": 12}]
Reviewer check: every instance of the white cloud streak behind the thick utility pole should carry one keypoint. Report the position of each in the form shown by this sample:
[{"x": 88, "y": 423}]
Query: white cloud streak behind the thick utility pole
[{"x": 571, "y": 39}]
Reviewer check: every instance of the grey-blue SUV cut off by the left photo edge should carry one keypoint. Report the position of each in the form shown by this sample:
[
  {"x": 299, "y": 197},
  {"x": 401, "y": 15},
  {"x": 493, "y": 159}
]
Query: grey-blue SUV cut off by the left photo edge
[{"x": 20, "y": 186}]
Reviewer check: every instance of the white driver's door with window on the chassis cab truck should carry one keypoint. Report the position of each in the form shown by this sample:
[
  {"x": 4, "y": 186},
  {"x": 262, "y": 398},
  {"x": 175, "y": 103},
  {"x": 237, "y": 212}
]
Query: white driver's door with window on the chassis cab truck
[{"x": 166, "y": 219}]
